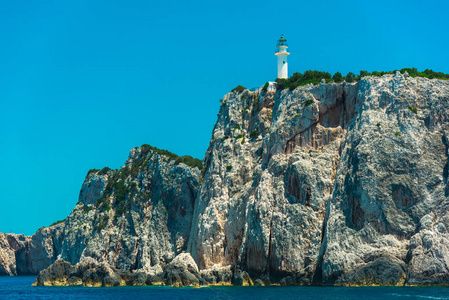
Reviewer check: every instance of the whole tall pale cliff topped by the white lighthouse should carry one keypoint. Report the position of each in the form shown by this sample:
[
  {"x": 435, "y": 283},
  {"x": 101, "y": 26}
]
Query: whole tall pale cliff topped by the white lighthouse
[{"x": 335, "y": 183}]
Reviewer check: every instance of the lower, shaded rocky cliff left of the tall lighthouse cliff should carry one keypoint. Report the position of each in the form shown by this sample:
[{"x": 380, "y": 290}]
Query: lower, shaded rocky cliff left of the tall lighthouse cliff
[{"x": 133, "y": 218}]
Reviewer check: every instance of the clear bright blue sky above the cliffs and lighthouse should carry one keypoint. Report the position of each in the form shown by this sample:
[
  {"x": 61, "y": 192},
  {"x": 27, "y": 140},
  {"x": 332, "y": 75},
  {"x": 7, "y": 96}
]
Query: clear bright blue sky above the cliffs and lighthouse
[{"x": 83, "y": 82}]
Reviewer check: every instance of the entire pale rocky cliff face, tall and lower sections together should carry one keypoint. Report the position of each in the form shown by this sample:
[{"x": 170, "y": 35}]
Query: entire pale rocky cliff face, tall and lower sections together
[{"x": 326, "y": 184}]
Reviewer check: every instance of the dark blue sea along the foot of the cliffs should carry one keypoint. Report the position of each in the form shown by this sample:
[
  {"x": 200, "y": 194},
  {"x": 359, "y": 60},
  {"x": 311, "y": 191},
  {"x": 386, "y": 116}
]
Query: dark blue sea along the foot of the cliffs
[{"x": 20, "y": 288}]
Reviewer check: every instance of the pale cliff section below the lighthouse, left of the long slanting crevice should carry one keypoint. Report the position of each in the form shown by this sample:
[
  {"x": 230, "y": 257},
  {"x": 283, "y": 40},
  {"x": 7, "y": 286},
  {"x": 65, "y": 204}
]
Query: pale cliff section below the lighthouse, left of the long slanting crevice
[{"x": 270, "y": 171}]
